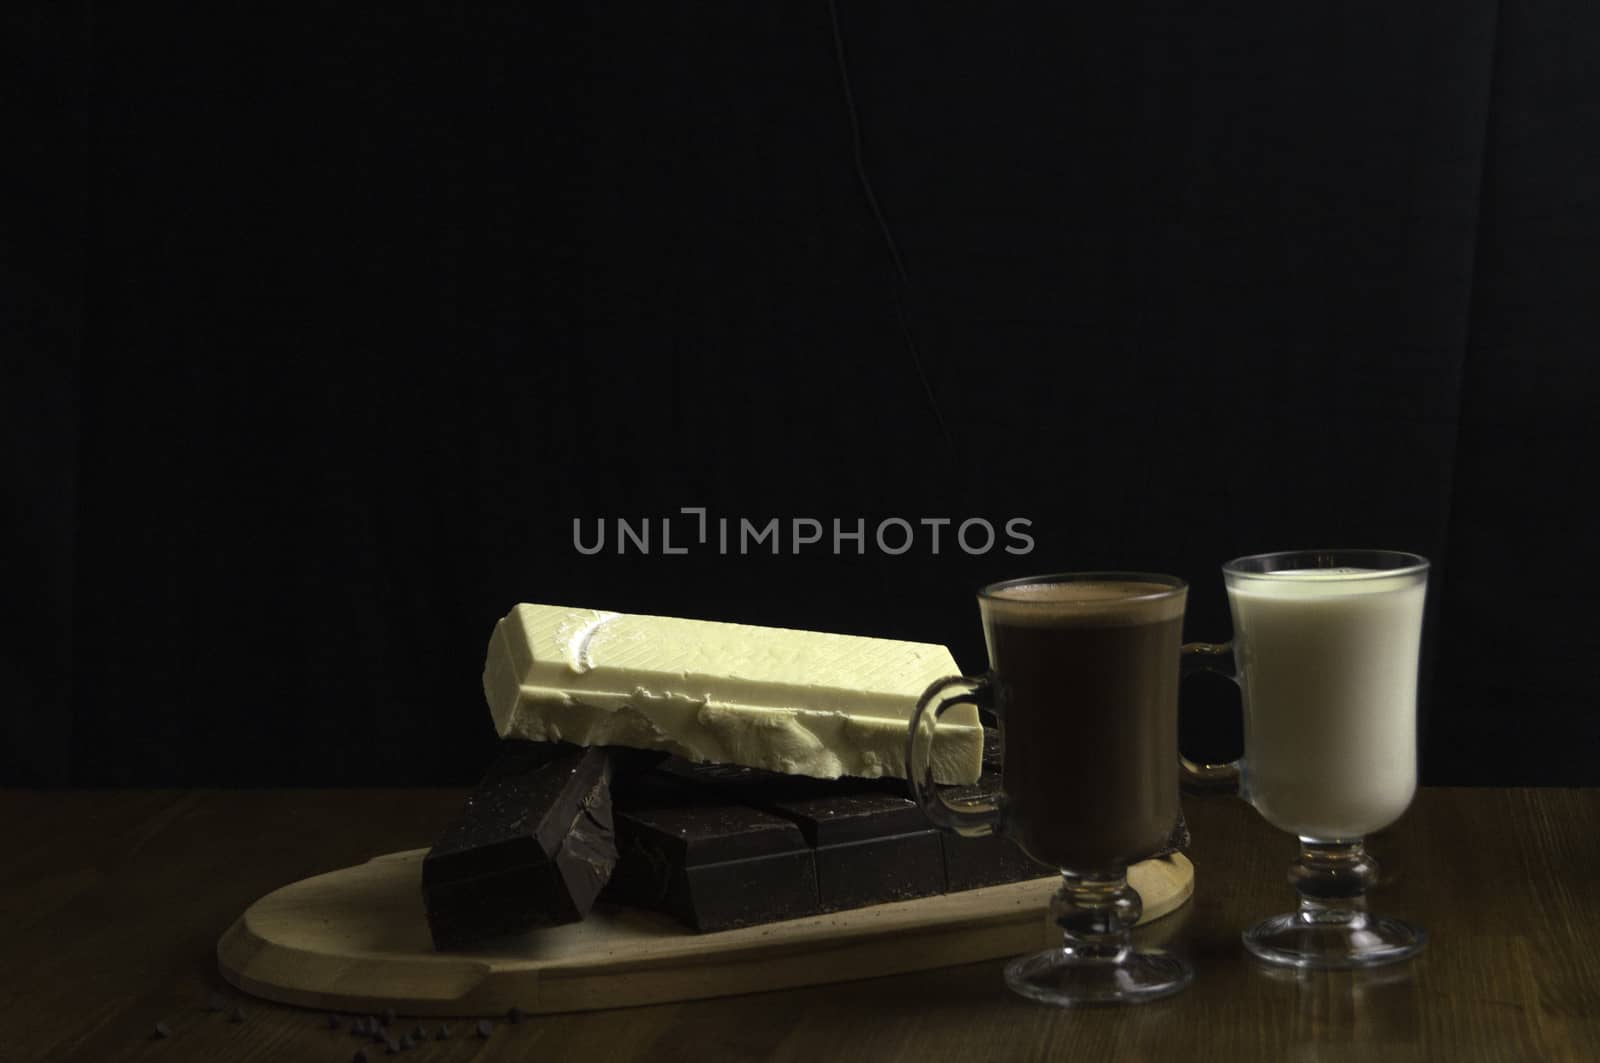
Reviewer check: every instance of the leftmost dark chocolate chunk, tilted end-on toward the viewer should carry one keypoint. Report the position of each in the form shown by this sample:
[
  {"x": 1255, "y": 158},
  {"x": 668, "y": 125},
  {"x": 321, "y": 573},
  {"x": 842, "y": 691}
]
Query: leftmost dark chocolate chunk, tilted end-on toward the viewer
[{"x": 532, "y": 848}]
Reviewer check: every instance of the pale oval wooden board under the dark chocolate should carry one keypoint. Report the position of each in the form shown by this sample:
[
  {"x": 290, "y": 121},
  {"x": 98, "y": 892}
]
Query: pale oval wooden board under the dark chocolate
[{"x": 356, "y": 941}]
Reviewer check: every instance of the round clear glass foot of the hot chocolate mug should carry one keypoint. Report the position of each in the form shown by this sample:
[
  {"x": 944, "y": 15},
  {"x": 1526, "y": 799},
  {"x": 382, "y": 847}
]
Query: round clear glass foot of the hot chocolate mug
[{"x": 1070, "y": 979}]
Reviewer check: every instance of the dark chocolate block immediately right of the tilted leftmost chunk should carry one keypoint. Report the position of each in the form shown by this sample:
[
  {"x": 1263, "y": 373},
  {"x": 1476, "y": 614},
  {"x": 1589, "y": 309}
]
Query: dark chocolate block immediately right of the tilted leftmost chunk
[{"x": 711, "y": 865}]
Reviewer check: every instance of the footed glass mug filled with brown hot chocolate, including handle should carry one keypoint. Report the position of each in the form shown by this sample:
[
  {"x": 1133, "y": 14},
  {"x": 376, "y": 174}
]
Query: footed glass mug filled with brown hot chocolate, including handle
[{"x": 1084, "y": 681}]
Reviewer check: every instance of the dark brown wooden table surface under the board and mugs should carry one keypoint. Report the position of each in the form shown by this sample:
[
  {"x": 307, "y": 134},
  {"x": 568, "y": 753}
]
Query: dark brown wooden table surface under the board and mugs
[{"x": 111, "y": 904}]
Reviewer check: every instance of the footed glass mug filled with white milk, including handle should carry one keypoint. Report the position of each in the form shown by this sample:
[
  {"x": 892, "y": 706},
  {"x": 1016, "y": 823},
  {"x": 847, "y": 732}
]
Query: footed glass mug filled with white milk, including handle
[{"x": 1326, "y": 654}]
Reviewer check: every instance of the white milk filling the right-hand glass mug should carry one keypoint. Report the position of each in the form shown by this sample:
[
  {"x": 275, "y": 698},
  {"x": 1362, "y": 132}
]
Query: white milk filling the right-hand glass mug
[{"x": 1329, "y": 672}]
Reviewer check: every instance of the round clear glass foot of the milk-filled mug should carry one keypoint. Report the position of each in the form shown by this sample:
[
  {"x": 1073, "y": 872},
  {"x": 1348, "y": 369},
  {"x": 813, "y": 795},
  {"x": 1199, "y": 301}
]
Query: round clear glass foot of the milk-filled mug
[{"x": 1334, "y": 939}]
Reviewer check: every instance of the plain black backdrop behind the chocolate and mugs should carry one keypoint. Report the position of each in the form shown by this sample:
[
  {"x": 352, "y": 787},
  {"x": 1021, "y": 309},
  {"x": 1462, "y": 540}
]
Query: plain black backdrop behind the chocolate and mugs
[{"x": 324, "y": 326}]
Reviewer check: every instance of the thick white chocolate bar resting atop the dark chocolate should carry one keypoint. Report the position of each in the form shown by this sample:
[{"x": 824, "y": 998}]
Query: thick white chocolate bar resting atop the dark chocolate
[{"x": 798, "y": 702}]
